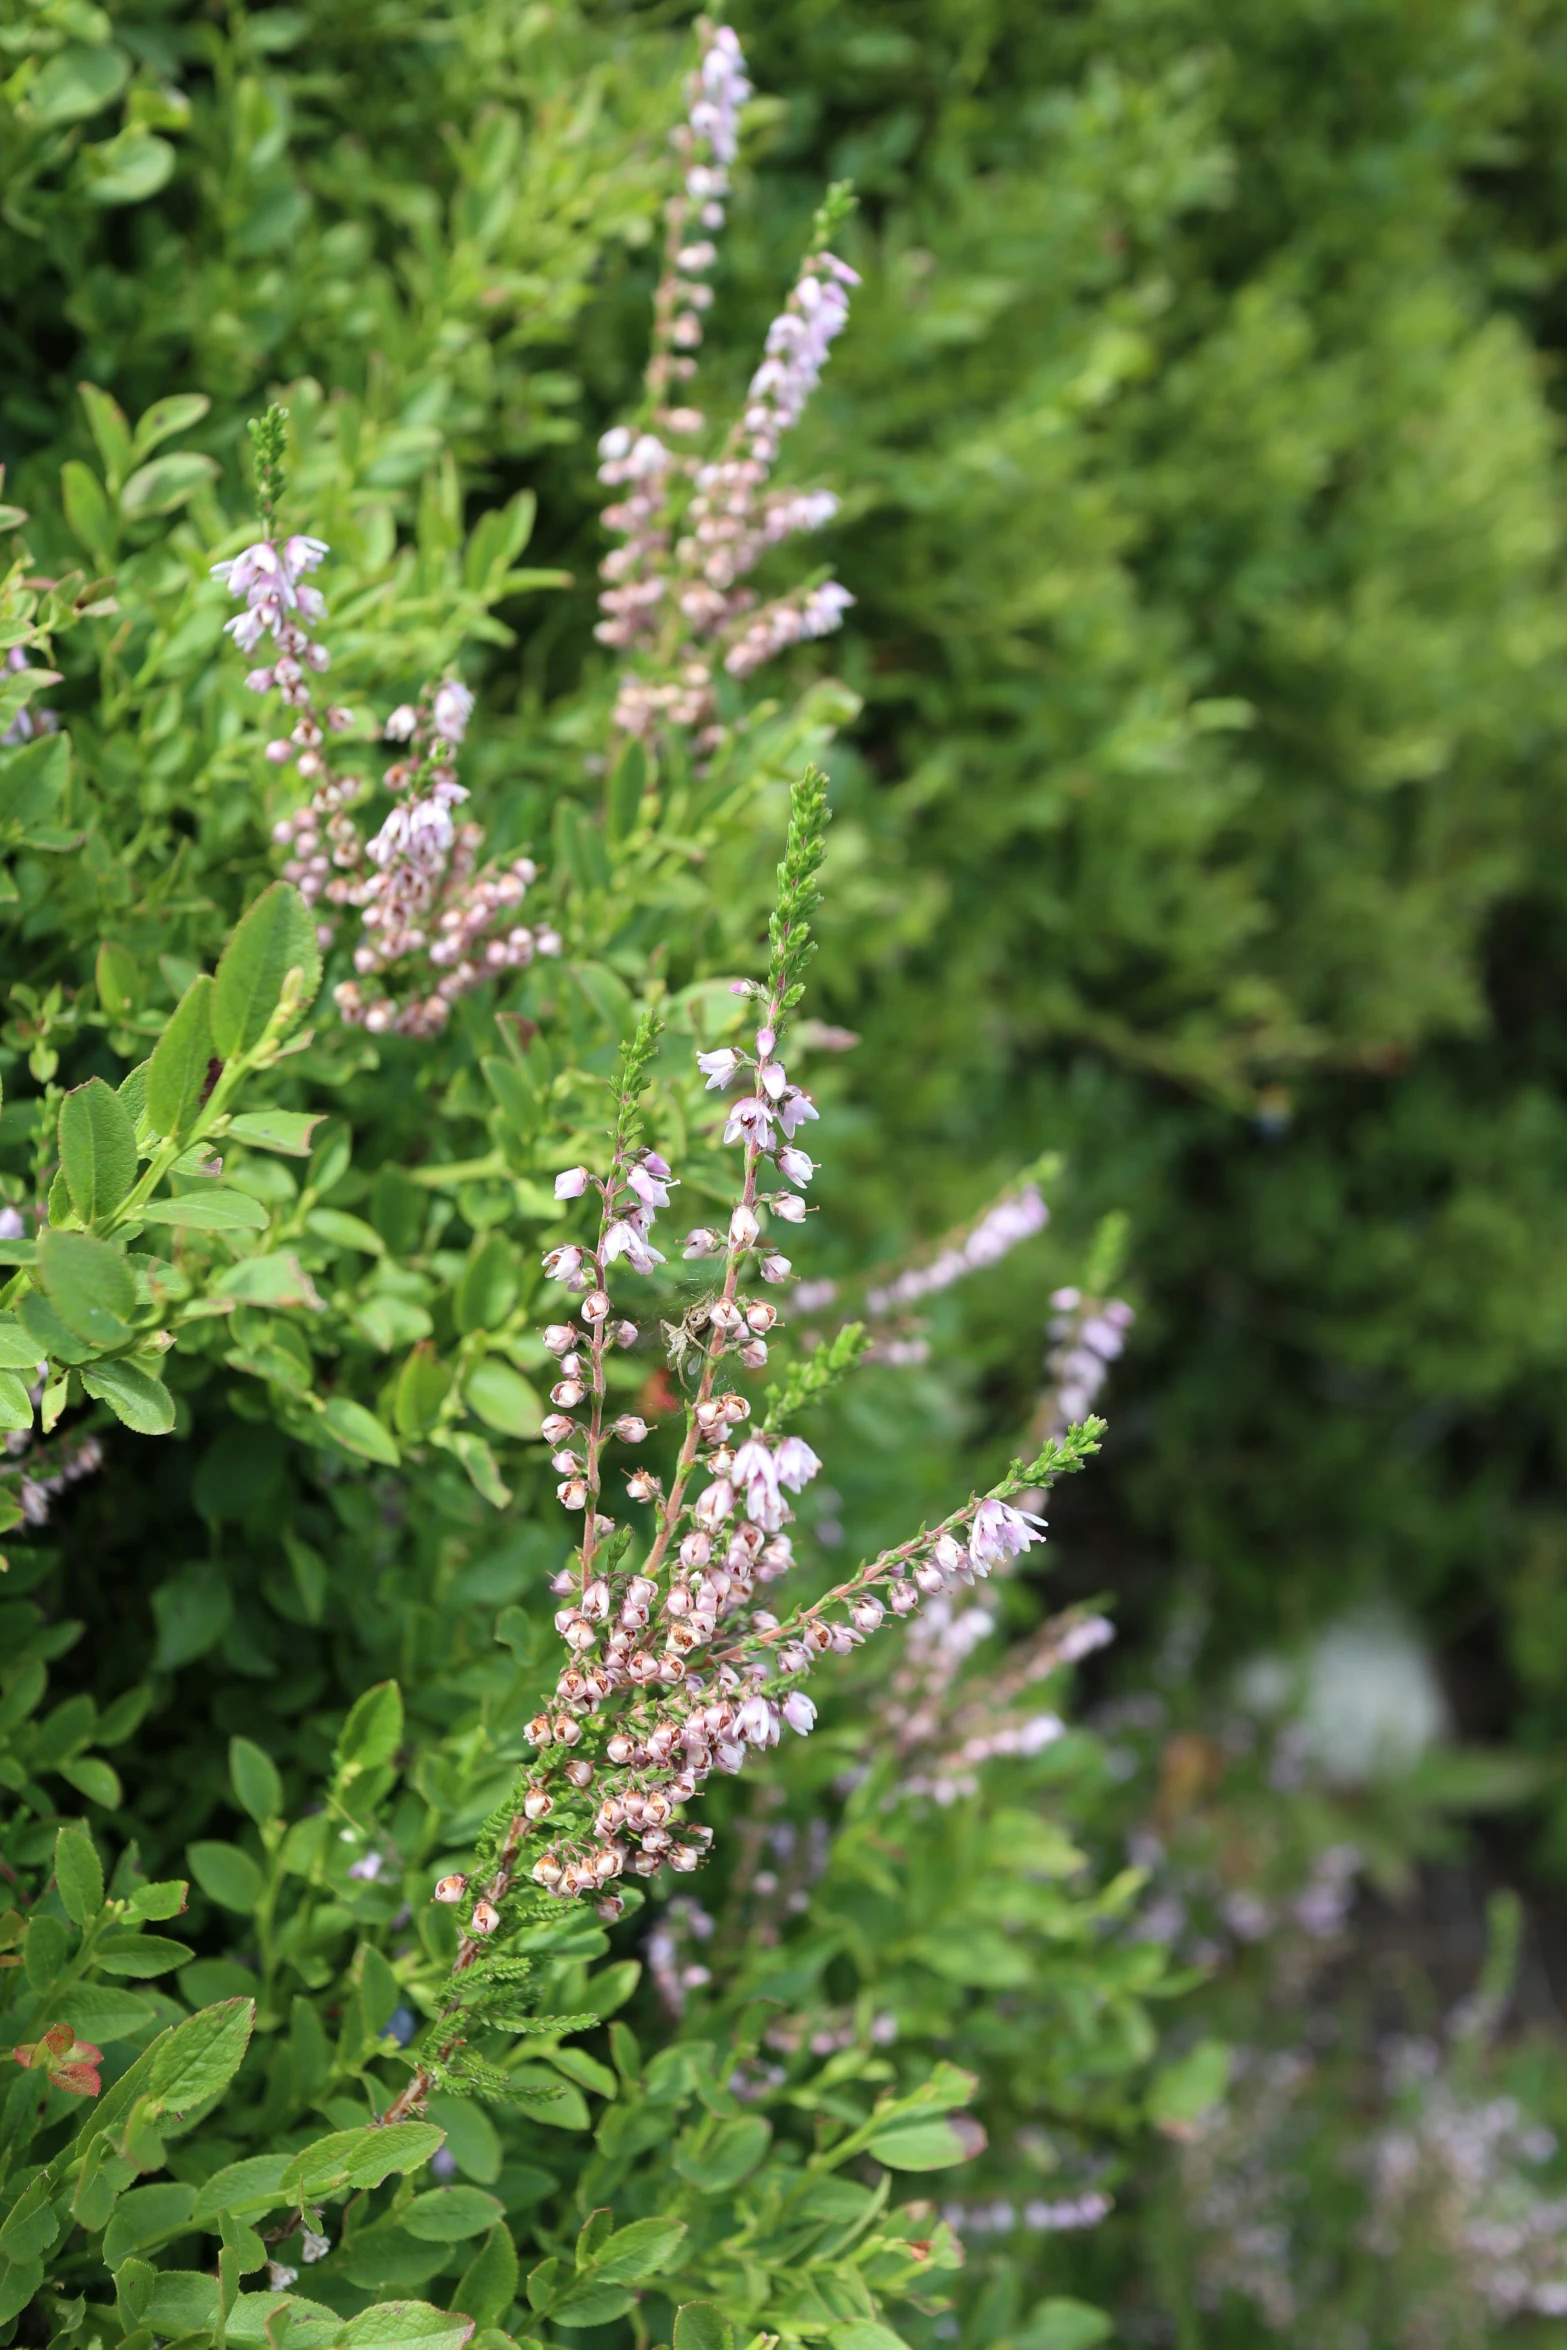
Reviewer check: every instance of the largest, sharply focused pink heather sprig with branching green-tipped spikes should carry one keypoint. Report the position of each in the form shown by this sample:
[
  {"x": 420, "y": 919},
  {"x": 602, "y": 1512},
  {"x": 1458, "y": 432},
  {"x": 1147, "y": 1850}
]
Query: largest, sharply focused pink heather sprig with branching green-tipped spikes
[{"x": 671, "y": 1665}]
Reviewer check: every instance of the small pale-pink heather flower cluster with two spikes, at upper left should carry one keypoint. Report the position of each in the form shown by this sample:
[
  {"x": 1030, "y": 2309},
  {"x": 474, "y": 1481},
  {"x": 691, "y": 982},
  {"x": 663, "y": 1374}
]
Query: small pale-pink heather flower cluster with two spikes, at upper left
[{"x": 424, "y": 904}]
